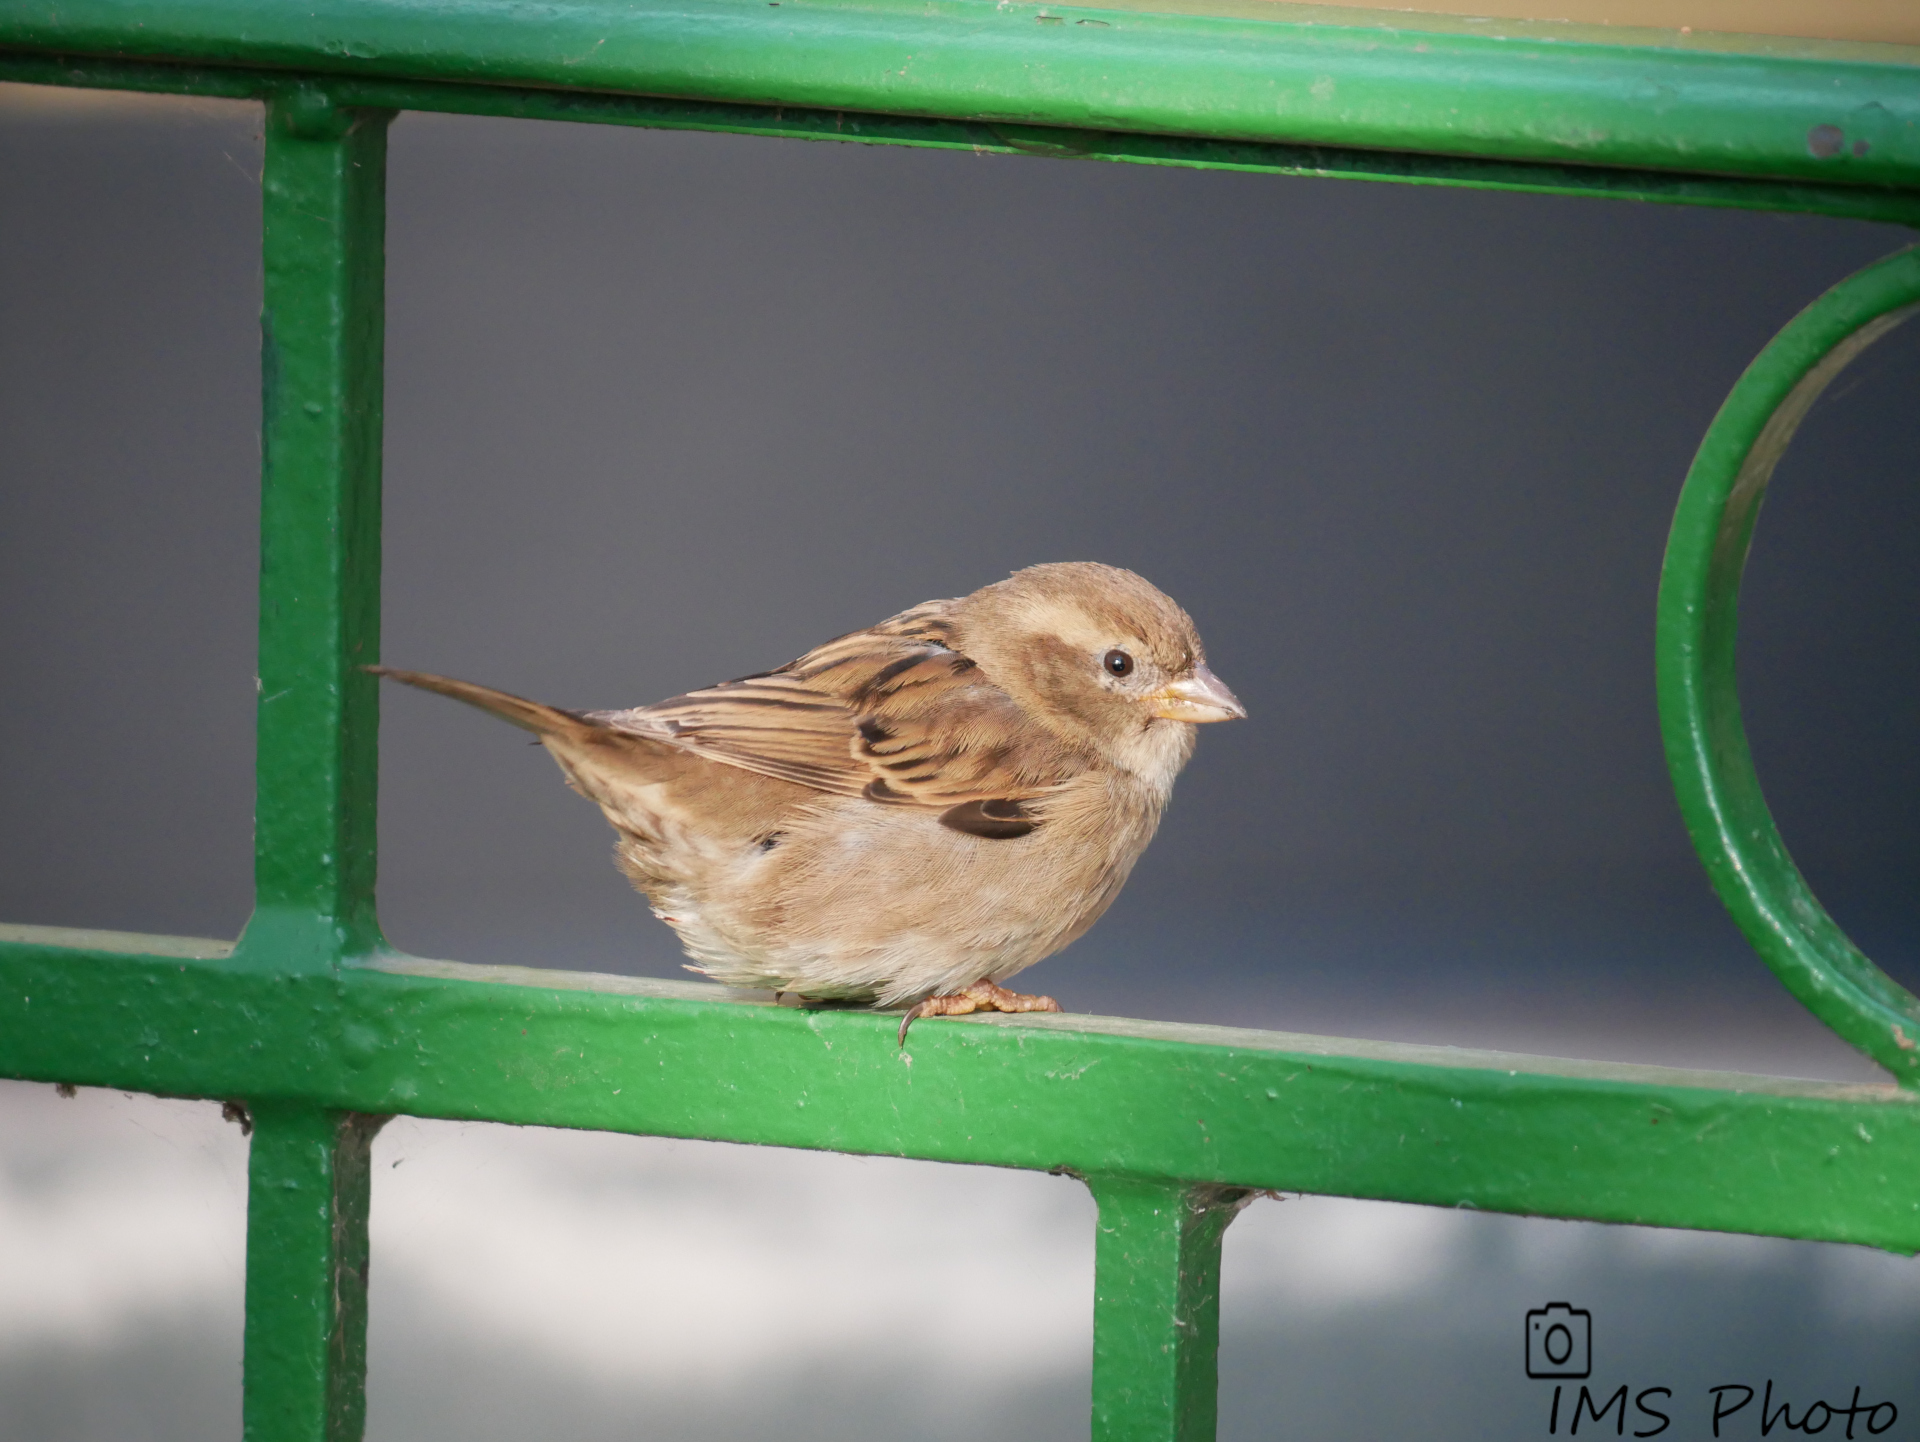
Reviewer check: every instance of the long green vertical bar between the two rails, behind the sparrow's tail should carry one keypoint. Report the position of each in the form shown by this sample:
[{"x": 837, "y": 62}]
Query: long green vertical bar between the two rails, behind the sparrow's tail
[{"x": 320, "y": 573}]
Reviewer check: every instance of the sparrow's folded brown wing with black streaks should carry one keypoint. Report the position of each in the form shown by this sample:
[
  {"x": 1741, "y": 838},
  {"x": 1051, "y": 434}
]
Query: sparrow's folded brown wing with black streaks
[{"x": 894, "y": 715}]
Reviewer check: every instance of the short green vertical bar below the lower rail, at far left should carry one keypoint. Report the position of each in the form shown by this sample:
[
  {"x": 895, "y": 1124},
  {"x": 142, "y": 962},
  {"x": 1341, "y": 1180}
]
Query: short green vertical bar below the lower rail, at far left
[{"x": 306, "y": 1274}]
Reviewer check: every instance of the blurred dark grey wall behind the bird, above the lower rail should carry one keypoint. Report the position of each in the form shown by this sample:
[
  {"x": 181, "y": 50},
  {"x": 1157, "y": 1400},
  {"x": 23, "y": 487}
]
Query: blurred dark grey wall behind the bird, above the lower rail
[{"x": 673, "y": 408}]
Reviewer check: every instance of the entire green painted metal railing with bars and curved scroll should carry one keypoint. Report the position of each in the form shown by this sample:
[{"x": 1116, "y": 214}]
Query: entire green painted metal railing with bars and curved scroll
[{"x": 320, "y": 1030}]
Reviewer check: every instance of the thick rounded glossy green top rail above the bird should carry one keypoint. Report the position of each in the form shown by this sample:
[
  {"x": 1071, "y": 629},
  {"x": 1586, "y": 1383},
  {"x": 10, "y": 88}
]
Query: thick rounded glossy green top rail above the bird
[{"x": 1777, "y": 112}]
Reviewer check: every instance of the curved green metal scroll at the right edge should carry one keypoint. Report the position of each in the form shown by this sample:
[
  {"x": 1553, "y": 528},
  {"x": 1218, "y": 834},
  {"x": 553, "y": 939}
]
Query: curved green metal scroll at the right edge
[{"x": 1700, "y": 706}]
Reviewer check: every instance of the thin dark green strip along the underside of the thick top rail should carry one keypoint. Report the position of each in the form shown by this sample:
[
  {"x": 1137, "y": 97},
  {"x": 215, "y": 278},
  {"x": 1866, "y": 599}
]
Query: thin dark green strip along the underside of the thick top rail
[{"x": 1332, "y": 162}]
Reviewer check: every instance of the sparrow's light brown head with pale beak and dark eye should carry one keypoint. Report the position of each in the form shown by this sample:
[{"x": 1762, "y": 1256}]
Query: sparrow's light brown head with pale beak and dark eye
[{"x": 1101, "y": 658}]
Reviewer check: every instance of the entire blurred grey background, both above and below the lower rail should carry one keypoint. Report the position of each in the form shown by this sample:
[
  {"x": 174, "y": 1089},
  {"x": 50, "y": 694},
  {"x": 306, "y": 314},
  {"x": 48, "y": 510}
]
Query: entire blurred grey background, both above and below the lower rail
[{"x": 673, "y": 408}]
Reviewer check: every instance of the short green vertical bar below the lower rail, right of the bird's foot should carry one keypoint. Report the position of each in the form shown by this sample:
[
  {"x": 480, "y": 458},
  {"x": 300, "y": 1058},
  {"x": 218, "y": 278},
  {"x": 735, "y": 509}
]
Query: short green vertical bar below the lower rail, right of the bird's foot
[{"x": 1157, "y": 1309}]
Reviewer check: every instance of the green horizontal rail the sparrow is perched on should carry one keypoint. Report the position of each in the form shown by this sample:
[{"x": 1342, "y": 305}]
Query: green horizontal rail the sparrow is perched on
[{"x": 1088, "y": 1095}]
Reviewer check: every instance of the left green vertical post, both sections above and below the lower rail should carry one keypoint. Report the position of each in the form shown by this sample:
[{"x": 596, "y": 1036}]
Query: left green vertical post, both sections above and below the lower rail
[{"x": 324, "y": 320}]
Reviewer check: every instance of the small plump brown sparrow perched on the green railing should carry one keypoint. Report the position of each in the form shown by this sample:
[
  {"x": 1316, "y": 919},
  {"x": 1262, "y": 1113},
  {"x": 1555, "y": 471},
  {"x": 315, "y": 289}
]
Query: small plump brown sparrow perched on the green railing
[{"x": 911, "y": 813}]
